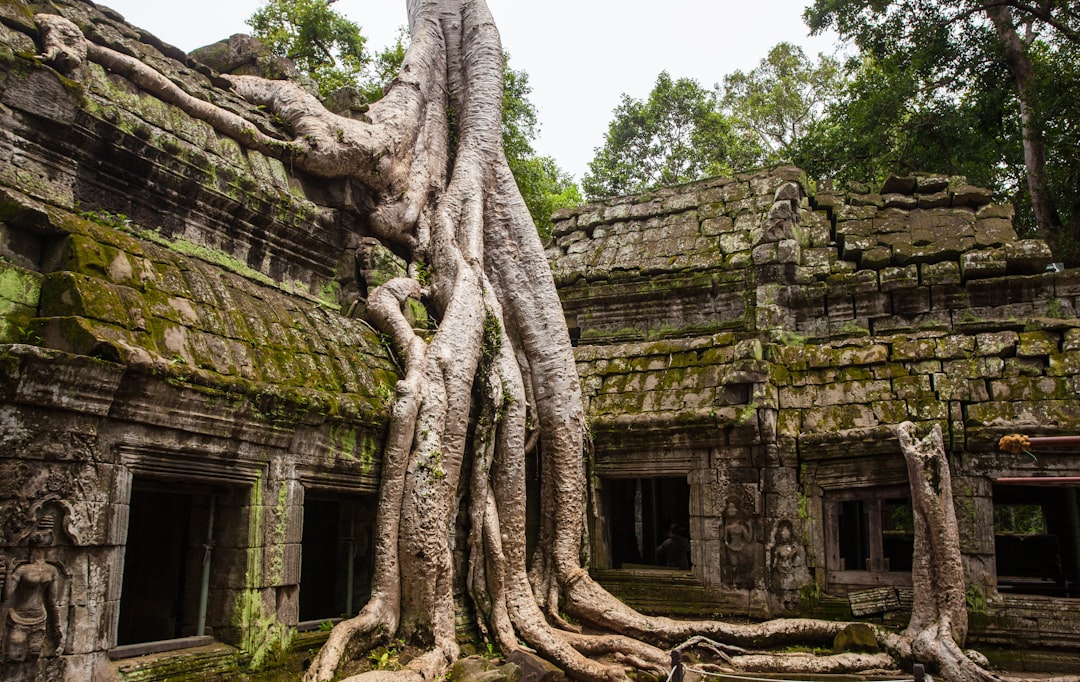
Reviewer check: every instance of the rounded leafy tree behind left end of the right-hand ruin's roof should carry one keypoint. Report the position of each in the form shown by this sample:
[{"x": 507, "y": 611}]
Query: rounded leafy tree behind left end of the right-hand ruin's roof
[{"x": 677, "y": 136}]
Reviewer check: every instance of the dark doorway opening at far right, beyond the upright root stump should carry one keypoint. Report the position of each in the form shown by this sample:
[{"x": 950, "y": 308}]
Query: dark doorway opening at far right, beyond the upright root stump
[{"x": 1037, "y": 540}]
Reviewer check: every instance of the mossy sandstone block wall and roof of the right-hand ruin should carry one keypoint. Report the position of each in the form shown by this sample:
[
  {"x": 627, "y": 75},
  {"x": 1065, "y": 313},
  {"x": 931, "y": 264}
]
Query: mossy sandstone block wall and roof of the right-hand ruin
[{"x": 761, "y": 337}]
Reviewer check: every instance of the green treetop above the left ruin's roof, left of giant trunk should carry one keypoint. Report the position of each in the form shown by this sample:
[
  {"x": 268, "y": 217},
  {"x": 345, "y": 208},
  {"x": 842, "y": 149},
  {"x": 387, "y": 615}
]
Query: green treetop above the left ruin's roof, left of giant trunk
[{"x": 322, "y": 43}]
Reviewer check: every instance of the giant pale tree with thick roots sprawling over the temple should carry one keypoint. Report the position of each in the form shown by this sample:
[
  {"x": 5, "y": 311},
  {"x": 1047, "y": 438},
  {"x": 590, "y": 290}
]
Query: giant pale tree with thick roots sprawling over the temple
[{"x": 498, "y": 371}]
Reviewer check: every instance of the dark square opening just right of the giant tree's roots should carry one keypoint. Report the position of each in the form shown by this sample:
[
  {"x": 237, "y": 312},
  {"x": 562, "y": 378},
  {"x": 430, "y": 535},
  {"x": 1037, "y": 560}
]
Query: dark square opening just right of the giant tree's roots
[{"x": 641, "y": 513}]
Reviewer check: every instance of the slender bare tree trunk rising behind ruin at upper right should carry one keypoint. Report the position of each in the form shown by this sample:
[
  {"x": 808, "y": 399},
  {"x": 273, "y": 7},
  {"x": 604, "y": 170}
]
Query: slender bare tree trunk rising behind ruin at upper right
[{"x": 1035, "y": 146}]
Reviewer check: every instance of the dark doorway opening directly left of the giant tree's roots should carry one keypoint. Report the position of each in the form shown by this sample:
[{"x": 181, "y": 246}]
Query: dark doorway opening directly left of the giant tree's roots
[{"x": 336, "y": 560}]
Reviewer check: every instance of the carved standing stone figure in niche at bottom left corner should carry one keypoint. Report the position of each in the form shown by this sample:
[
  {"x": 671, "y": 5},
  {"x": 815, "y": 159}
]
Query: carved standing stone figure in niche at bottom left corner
[{"x": 31, "y": 617}]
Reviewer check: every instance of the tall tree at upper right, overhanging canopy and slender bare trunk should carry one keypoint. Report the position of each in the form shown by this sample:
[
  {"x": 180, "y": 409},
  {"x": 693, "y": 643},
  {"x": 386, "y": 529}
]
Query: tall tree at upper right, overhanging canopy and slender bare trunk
[{"x": 948, "y": 45}]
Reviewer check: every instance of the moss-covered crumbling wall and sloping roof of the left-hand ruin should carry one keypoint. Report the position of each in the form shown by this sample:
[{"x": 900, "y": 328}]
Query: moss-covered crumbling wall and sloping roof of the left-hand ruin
[{"x": 177, "y": 315}]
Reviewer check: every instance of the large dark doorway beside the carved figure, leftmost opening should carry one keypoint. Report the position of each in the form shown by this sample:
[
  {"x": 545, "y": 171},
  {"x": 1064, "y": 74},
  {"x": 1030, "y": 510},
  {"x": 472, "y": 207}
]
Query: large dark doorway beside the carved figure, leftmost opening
[{"x": 167, "y": 564}]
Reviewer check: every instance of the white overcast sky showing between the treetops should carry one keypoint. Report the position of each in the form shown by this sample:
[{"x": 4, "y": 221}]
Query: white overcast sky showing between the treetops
[{"x": 580, "y": 56}]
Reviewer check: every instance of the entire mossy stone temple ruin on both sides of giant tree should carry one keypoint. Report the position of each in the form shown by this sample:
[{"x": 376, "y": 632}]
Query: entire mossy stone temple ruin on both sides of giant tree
[{"x": 194, "y": 411}]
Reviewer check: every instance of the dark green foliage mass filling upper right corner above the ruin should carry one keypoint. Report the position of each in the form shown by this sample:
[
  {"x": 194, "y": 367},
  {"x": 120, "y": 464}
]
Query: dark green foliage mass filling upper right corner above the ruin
[{"x": 935, "y": 88}]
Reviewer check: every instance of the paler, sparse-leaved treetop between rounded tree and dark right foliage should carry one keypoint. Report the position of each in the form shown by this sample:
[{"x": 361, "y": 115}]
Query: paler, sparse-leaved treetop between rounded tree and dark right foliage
[{"x": 782, "y": 98}]
